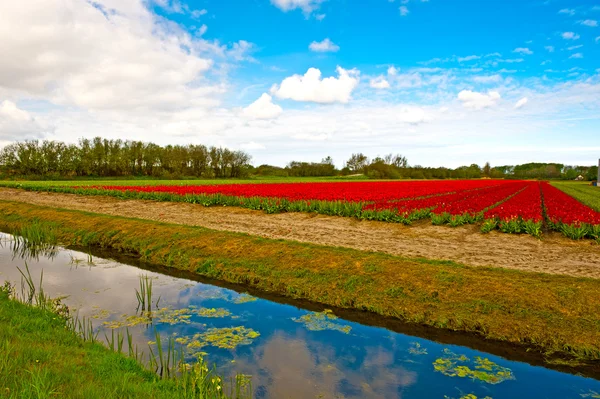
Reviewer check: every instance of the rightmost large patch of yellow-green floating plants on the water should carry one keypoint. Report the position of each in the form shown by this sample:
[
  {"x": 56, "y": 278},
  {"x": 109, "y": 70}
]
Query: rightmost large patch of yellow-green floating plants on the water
[{"x": 482, "y": 369}]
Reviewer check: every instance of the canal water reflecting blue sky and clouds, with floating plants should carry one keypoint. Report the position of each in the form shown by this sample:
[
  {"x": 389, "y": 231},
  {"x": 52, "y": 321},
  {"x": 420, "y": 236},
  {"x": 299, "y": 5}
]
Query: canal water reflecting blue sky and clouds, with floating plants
[{"x": 290, "y": 352}]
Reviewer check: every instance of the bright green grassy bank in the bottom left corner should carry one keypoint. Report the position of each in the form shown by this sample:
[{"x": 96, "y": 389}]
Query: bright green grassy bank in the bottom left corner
[{"x": 42, "y": 357}]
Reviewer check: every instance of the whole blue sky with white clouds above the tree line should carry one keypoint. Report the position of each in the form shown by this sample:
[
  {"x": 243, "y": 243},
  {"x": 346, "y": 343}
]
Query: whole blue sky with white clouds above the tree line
[{"x": 442, "y": 82}]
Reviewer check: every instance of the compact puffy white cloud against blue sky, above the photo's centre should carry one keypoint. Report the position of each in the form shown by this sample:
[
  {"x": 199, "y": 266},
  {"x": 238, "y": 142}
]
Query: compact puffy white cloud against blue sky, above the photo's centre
[{"x": 311, "y": 87}]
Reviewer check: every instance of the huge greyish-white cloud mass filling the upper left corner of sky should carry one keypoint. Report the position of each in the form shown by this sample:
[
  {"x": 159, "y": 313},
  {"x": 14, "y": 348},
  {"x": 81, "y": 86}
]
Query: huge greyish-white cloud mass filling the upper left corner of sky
[{"x": 105, "y": 55}]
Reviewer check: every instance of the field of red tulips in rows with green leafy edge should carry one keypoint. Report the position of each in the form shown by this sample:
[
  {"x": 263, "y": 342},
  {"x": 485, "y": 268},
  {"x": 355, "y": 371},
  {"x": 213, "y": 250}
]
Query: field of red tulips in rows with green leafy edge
[{"x": 508, "y": 206}]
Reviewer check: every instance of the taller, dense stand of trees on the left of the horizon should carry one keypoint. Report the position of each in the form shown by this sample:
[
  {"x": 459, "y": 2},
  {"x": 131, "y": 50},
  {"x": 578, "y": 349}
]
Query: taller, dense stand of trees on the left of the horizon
[{"x": 100, "y": 157}]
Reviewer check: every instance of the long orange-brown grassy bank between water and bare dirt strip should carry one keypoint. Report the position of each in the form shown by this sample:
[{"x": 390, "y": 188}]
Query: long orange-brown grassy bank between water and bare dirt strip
[{"x": 554, "y": 314}]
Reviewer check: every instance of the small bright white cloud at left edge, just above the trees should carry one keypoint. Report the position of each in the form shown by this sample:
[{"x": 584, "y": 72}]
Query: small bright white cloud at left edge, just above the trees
[{"x": 17, "y": 124}]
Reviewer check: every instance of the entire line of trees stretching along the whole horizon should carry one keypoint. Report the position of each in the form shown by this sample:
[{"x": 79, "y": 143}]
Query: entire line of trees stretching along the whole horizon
[{"x": 101, "y": 157}]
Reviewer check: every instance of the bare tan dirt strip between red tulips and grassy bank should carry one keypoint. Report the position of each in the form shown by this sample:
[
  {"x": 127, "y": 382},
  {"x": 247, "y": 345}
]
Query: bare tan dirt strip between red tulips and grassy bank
[{"x": 555, "y": 254}]
